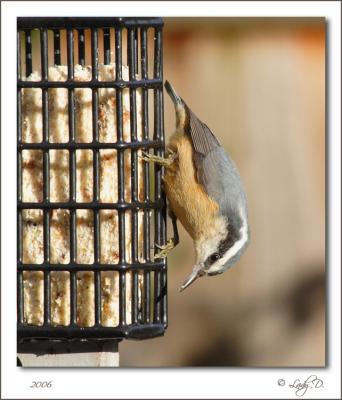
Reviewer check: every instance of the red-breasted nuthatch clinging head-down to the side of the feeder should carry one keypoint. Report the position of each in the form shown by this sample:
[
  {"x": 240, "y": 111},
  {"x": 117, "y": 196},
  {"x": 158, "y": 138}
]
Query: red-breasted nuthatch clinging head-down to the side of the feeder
[{"x": 205, "y": 193}]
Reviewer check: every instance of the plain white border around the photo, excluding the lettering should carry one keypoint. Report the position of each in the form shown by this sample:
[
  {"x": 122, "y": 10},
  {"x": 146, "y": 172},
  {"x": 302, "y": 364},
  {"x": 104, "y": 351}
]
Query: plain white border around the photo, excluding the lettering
[{"x": 177, "y": 383}]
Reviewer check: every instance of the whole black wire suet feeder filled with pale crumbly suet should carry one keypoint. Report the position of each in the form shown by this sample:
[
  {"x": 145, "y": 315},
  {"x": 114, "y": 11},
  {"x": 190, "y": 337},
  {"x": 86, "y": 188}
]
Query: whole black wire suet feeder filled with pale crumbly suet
[{"x": 89, "y": 209}]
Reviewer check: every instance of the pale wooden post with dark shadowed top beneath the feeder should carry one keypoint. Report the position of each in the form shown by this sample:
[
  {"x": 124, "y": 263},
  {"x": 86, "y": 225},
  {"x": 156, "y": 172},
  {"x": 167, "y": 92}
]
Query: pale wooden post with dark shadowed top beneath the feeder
[{"x": 63, "y": 353}]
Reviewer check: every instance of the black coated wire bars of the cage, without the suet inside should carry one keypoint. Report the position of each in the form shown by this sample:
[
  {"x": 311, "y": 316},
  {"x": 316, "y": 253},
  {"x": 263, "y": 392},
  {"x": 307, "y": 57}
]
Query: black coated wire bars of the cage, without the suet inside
[{"x": 141, "y": 325}]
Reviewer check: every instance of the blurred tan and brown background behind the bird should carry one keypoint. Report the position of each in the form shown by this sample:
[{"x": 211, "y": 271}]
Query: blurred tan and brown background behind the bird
[{"x": 259, "y": 84}]
